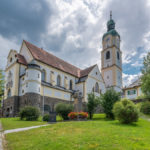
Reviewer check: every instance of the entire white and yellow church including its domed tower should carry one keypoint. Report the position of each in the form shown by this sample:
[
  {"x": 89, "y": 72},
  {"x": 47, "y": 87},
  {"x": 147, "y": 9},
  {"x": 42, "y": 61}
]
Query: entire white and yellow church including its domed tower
[{"x": 37, "y": 78}]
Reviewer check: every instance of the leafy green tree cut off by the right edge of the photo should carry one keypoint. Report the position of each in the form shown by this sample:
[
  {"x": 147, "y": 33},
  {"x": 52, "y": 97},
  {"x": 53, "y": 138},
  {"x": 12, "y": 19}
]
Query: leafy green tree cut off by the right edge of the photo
[{"x": 146, "y": 75}]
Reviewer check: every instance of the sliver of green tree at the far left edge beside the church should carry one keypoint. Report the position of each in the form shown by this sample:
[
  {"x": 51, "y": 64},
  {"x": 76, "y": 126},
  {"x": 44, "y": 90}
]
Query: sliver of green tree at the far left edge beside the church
[{"x": 1, "y": 84}]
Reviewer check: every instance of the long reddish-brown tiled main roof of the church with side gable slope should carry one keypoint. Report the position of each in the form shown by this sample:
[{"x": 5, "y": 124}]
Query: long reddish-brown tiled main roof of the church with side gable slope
[{"x": 49, "y": 59}]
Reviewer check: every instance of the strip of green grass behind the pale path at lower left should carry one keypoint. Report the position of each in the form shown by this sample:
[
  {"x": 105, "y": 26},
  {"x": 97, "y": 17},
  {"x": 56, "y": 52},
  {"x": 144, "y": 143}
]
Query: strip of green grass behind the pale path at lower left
[{"x": 13, "y": 123}]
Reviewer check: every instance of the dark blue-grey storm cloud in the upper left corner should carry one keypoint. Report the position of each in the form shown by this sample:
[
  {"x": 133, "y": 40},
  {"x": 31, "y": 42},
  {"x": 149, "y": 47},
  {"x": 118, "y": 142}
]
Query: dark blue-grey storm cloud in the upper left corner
[{"x": 23, "y": 19}]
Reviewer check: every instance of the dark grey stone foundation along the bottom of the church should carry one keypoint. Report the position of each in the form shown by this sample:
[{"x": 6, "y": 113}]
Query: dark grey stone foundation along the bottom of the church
[{"x": 12, "y": 105}]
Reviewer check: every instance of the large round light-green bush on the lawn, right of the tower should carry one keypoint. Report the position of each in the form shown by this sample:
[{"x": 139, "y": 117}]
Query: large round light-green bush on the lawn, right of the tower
[{"x": 125, "y": 111}]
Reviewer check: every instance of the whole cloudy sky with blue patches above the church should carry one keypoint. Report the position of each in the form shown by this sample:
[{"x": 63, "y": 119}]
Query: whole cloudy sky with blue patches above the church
[{"x": 73, "y": 30}]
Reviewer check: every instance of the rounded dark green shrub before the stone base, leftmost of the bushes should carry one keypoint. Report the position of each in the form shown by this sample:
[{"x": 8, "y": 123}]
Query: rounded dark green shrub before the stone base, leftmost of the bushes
[{"x": 29, "y": 113}]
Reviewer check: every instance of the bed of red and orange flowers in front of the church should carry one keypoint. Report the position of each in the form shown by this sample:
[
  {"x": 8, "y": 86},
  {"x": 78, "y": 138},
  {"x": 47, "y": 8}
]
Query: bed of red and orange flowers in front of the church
[{"x": 78, "y": 115}]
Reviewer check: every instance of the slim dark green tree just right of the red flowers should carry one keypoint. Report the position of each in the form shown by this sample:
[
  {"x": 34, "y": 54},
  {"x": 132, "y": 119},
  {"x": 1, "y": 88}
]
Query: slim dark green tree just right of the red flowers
[{"x": 92, "y": 104}]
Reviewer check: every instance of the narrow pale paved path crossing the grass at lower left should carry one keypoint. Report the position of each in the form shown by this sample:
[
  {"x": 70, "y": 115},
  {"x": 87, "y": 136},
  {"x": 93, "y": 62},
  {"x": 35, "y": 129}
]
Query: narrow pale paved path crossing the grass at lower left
[{"x": 23, "y": 129}]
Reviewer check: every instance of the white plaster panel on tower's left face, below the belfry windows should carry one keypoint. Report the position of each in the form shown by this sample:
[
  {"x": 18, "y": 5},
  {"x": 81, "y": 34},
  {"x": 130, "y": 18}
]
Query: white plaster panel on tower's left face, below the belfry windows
[{"x": 108, "y": 78}]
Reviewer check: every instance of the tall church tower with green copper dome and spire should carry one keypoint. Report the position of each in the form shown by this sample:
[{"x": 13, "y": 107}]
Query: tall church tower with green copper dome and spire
[{"x": 111, "y": 57}]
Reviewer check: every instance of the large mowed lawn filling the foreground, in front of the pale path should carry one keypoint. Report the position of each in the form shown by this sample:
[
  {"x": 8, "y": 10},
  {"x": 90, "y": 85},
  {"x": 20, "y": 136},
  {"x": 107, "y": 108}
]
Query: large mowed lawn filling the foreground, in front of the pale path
[{"x": 99, "y": 134}]
